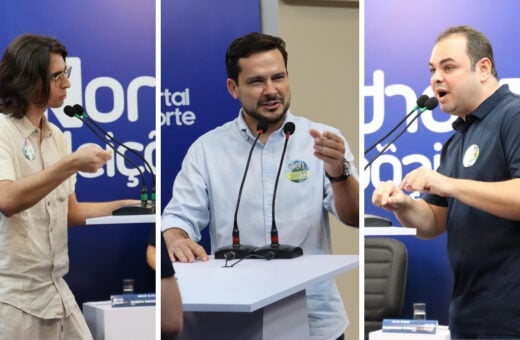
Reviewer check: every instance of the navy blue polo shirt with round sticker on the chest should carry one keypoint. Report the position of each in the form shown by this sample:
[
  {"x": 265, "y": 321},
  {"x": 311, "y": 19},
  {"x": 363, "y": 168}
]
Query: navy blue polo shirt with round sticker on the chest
[{"x": 484, "y": 250}]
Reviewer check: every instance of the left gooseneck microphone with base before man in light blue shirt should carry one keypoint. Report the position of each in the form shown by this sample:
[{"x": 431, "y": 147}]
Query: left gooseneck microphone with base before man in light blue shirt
[{"x": 237, "y": 250}]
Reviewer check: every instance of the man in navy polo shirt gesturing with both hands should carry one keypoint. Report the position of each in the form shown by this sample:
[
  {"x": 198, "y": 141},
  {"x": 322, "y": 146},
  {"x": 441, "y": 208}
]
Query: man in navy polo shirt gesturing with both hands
[{"x": 475, "y": 193}]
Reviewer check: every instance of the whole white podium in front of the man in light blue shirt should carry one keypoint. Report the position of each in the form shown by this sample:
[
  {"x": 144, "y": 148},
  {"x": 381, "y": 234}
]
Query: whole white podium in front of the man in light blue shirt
[{"x": 256, "y": 299}]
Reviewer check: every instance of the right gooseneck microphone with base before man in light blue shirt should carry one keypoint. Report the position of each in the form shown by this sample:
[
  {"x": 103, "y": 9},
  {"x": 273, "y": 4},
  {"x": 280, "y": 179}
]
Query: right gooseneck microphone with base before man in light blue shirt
[{"x": 277, "y": 250}]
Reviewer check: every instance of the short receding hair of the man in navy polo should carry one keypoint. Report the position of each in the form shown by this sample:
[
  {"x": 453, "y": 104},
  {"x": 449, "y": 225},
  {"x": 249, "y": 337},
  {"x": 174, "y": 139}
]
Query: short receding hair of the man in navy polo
[{"x": 477, "y": 45}]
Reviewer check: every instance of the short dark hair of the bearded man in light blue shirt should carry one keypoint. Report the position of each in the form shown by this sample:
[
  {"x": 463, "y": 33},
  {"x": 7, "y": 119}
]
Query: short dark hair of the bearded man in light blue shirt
[{"x": 249, "y": 44}]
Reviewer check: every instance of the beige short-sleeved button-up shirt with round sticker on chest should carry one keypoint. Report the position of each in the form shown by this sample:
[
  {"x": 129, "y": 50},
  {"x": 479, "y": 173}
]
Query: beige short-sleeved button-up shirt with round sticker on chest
[{"x": 33, "y": 243}]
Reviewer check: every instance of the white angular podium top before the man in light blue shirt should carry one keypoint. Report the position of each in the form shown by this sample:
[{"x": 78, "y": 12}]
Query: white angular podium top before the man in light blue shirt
[{"x": 253, "y": 283}]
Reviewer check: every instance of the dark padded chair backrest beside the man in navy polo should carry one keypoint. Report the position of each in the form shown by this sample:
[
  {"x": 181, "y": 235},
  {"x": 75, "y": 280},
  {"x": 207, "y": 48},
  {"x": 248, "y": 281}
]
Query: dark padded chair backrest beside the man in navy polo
[{"x": 386, "y": 265}]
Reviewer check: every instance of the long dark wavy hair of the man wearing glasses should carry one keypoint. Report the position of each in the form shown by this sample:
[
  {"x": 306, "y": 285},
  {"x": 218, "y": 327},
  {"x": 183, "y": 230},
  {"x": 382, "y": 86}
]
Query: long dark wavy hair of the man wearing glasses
[{"x": 25, "y": 74}]
